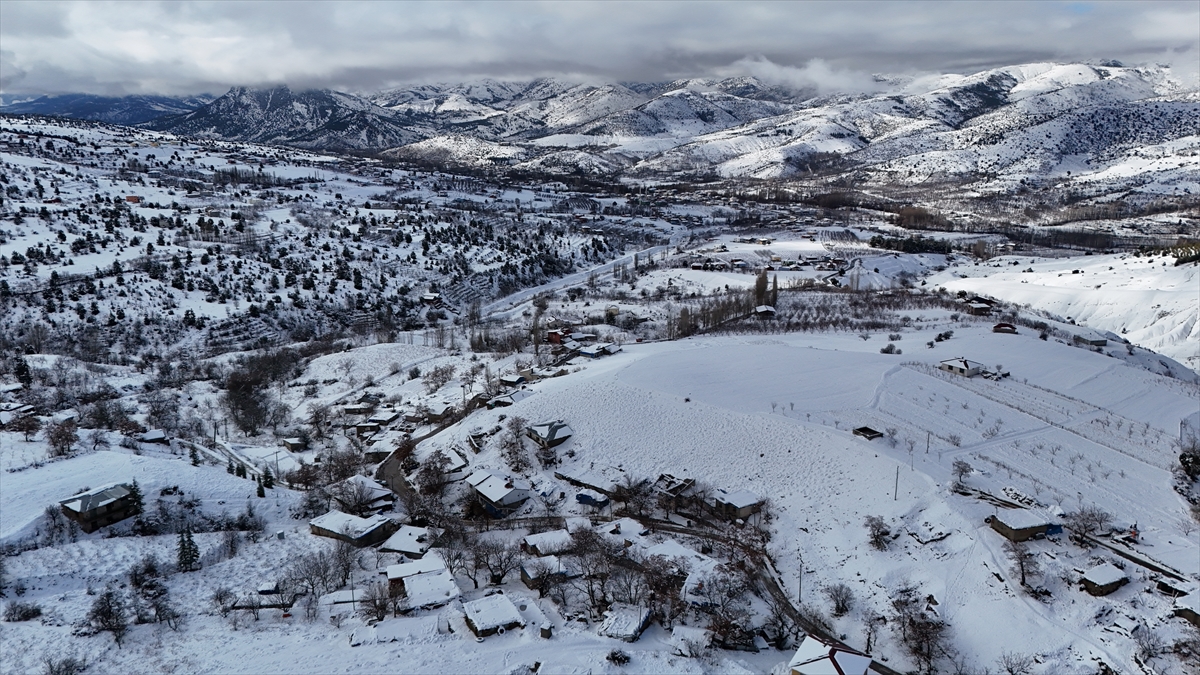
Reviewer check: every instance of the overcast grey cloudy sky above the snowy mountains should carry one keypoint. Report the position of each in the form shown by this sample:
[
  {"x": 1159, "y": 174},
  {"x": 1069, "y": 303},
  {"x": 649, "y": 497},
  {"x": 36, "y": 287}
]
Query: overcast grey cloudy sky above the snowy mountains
[{"x": 206, "y": 47}]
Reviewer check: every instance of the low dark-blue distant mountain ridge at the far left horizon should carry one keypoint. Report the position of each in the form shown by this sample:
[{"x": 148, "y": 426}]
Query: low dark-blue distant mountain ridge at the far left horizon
[{"x": 124, "y": 110}]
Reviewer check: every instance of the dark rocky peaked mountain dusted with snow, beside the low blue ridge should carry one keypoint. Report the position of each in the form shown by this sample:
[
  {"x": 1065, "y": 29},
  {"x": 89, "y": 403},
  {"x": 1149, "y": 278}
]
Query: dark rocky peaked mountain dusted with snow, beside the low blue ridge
[{"x": 320, "y": 120}]
